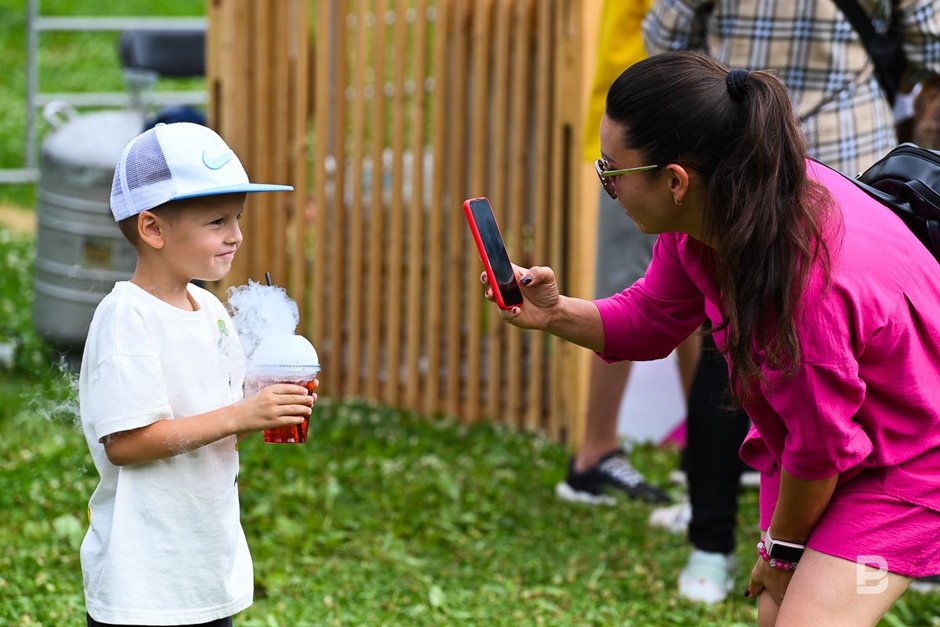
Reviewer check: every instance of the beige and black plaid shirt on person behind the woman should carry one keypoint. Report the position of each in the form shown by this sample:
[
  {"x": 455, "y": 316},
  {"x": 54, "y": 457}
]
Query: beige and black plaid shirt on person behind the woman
[{"x": 814, "y": 50}]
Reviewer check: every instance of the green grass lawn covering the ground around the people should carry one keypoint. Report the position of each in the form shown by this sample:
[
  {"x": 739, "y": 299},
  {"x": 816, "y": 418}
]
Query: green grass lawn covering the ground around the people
[{"x": 383, "y": 518}]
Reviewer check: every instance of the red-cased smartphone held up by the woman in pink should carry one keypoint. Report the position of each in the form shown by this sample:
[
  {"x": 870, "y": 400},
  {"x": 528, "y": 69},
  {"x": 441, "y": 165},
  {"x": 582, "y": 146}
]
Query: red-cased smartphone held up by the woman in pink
[{"x": 493, "y": 253}]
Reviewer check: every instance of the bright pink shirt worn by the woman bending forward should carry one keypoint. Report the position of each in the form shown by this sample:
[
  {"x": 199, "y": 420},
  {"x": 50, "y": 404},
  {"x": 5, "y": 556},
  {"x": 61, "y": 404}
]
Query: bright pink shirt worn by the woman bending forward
[{"x": 866, "y": 395}]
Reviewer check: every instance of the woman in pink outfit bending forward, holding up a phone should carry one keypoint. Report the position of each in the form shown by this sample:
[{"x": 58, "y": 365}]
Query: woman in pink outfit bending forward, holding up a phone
[{"x": 825, "y": 306}]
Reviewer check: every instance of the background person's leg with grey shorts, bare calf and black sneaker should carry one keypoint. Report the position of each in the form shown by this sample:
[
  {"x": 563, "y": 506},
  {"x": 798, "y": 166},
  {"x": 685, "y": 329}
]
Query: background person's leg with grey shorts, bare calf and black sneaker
[{"x": 601, "y": 467}]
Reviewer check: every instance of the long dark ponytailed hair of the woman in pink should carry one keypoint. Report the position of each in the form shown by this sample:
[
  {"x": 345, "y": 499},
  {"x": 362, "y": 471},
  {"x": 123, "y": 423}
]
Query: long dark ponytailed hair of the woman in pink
[{"x": 763, "y": 218}]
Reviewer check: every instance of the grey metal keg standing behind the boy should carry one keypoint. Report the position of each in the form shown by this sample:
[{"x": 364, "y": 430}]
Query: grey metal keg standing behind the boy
[{"x": 80, "y": 252}]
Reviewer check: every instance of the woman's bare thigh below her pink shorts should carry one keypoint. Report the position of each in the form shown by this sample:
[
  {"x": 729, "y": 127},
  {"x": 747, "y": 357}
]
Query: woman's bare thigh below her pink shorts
[{"x": 831, "y": 591}]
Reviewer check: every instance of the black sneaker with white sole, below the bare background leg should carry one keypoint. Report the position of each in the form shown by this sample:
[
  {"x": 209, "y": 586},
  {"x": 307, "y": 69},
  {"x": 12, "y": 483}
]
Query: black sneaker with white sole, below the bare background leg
[{"x": 613, "y": 473}]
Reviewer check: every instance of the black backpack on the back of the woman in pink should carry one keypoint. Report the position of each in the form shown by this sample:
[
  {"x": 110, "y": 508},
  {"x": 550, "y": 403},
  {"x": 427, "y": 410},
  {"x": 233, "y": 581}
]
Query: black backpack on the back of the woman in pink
[{"x": 907, "y": 181}]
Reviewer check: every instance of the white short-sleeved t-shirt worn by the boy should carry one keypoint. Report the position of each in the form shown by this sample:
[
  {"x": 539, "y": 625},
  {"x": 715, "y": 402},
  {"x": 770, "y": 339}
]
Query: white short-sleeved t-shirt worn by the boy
[{"x": 164, "y": 545}]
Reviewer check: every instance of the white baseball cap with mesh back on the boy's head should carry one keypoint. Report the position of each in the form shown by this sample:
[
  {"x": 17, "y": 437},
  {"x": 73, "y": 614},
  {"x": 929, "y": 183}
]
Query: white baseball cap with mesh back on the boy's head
[{"x": 177, "y": 161}]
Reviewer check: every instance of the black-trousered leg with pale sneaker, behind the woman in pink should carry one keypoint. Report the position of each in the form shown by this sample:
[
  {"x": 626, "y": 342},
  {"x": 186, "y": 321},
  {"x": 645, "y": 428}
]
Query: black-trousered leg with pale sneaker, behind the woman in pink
[{"x": 713, "y": 470}]
